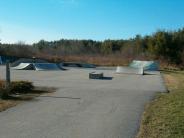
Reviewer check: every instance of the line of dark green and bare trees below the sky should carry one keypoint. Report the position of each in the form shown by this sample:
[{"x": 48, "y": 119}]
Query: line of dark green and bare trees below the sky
[{"x": 167, "y": 46}]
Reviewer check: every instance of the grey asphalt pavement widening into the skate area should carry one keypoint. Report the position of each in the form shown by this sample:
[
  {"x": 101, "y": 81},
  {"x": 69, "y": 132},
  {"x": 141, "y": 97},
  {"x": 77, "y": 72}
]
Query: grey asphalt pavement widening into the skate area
[{"x": 80, "y": 108}]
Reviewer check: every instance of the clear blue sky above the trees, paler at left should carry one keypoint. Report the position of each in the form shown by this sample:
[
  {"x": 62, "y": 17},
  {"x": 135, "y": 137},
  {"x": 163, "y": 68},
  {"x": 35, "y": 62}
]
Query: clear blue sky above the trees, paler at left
[{"x": 32, "y": 20}]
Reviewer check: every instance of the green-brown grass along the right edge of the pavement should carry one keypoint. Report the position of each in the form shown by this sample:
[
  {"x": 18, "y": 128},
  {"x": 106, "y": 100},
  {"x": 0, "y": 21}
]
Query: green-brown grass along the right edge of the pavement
[{"x": 164, "y": 117}]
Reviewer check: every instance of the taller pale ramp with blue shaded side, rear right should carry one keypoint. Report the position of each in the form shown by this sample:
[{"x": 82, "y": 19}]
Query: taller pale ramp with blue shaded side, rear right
[{"x": 147, "y": 65}]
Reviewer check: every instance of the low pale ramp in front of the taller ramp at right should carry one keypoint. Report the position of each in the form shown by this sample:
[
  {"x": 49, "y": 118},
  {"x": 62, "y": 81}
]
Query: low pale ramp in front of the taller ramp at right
[{"x": 129, "y": 70}]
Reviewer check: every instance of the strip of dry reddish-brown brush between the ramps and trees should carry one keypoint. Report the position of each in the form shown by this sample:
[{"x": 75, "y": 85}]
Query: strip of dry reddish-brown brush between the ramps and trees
[{"x": 107, "y": 60}]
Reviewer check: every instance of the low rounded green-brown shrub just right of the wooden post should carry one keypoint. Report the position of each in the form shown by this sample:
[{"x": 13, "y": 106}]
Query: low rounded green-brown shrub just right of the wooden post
[{"x": 21, "y": 87}]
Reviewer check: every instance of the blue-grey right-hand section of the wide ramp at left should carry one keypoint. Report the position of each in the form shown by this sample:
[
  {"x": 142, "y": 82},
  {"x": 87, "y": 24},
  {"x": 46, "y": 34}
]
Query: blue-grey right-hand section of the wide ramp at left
[{"x": 46, "y": 66}]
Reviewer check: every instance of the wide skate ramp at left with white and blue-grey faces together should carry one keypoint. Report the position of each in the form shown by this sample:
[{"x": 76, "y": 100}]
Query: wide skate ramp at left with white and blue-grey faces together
[{"x": 37, "y": 66}]
